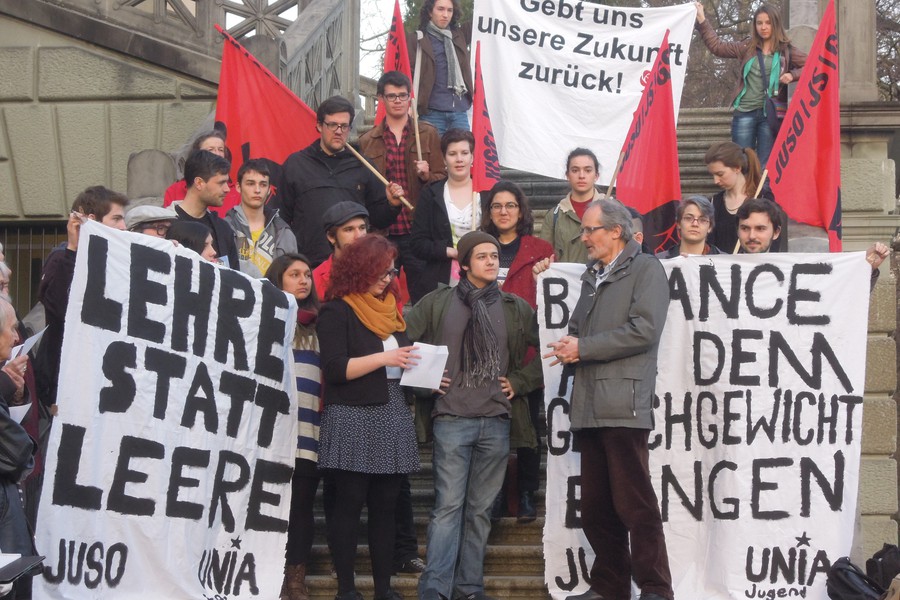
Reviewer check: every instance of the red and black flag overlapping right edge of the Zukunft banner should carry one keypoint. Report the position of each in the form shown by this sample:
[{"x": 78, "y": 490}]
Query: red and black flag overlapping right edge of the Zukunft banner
[{"x": 649, "y": 178}]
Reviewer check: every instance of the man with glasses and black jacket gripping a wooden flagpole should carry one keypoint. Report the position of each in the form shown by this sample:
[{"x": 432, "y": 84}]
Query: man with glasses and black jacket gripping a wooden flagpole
[{"x": 325, "y": 173}]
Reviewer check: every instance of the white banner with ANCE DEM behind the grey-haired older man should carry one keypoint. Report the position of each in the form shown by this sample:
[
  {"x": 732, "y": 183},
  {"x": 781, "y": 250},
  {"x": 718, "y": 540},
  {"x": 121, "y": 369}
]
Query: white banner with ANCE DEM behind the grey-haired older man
[{"x": 758, "y": 413}]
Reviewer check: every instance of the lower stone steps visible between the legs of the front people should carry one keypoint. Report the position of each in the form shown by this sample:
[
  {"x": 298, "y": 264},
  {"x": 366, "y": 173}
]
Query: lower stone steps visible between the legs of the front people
[{"x": 514, "y": 564}]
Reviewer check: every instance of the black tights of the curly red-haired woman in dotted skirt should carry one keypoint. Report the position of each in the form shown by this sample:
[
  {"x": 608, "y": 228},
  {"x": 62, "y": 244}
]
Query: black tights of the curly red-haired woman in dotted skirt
[{"x": 379, "y": 494}]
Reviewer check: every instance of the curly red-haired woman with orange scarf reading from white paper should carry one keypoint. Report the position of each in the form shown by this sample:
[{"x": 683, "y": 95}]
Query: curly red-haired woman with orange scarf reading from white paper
[{"x": 367, "y": 437}]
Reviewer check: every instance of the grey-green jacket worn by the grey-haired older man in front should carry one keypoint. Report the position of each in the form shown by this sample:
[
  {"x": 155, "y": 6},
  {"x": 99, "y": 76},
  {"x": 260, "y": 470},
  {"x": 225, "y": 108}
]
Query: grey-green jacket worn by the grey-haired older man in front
[{"x": 618, "y": 329}]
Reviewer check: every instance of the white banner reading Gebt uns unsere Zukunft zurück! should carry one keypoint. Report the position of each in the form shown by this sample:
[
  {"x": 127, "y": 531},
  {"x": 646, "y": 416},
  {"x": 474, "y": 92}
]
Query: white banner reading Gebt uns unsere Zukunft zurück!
[{"x": 565, "y": 74}]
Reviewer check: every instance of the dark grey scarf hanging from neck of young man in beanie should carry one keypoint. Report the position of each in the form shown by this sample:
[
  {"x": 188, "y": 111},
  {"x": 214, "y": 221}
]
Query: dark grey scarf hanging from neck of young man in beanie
[{"x": 480, "y": 357}]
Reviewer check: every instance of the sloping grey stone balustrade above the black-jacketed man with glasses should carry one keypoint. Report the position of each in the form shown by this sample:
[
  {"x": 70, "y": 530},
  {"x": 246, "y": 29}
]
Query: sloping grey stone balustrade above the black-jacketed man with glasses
[{"x": 322, "y": 52}]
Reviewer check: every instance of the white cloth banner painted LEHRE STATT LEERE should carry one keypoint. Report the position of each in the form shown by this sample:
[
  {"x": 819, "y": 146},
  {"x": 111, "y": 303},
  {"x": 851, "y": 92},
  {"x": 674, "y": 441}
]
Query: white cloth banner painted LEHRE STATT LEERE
[{"x": 169, "y": 465}]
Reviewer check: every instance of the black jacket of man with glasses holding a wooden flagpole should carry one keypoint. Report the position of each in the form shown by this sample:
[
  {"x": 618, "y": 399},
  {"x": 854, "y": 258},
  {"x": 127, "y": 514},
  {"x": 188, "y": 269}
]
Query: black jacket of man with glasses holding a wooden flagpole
[{"x": 312, "y": 181}]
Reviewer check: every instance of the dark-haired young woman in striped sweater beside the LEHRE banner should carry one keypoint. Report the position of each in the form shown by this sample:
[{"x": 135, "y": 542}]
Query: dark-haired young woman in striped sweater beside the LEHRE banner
[{"x": 292, "y": 273}]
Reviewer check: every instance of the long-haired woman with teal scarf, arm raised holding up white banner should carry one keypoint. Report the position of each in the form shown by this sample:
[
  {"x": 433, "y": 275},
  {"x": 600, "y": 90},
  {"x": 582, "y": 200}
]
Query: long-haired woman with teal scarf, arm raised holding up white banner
[{"x": 768, "y": 63}]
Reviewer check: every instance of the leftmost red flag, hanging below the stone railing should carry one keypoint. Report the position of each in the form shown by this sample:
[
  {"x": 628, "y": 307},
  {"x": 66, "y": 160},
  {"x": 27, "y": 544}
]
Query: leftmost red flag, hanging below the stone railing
[{"x": 263, "y": 117}]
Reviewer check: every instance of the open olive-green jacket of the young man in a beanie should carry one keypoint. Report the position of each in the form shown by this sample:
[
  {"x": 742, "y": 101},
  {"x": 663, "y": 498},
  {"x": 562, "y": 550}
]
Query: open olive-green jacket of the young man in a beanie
[{"x": 425, "y": 323}]
